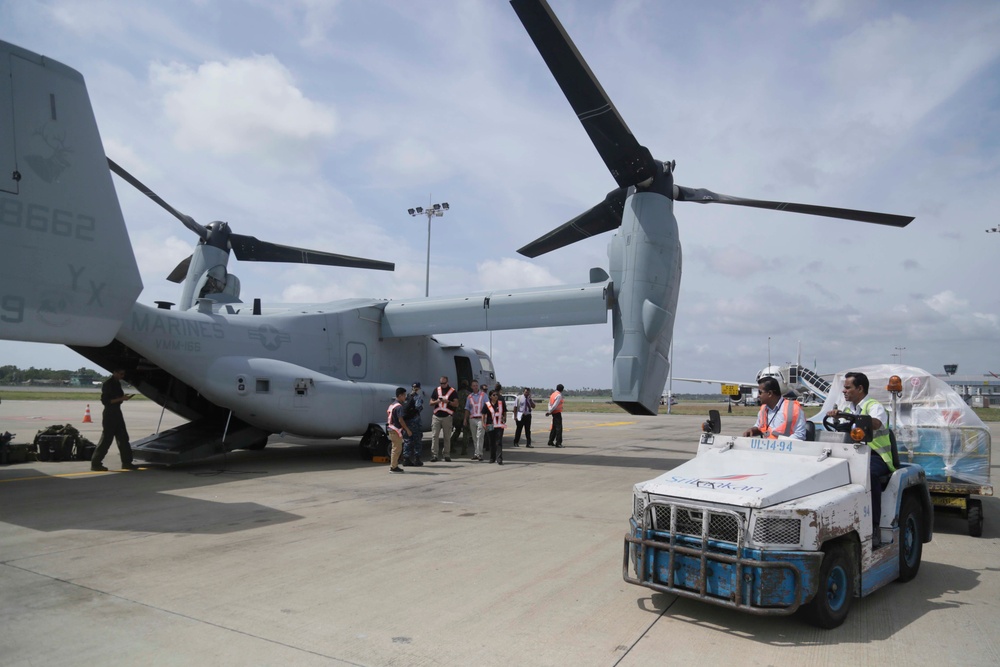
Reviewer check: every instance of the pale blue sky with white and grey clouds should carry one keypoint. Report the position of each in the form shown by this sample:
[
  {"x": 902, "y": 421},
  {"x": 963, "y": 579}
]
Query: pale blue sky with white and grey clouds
[{"x": 317, "y": 123}]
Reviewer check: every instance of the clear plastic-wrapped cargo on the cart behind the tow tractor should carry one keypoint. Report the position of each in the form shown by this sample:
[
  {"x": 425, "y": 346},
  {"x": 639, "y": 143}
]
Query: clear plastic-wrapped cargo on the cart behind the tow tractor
[{"x": 934, "y": 426}]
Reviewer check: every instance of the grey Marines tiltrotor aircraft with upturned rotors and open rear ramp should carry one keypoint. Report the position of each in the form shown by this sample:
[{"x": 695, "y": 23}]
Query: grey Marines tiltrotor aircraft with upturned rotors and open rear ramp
[{"x": 240, "y": 372}]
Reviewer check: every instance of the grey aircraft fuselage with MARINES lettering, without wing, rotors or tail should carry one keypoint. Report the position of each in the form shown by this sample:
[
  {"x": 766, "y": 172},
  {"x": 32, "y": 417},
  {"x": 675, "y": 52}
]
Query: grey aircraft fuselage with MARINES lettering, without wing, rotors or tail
[{"x": 320, "y": 371}]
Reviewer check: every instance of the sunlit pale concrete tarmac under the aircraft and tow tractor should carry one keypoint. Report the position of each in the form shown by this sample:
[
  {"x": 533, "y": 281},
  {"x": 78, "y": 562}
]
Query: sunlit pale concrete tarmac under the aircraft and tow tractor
[{"x": 303, "y": 554}]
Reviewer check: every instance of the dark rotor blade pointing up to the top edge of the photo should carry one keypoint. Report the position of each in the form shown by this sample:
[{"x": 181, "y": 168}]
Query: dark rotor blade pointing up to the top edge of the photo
[{"x": 628, "y": 162}]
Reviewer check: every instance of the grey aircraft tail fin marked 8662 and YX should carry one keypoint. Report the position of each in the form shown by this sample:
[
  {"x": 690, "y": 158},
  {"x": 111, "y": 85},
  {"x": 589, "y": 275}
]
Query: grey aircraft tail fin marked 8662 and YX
[{"x": 67, "y": 273}]
